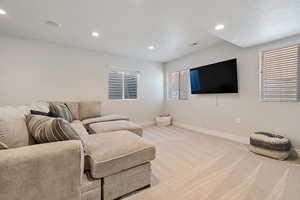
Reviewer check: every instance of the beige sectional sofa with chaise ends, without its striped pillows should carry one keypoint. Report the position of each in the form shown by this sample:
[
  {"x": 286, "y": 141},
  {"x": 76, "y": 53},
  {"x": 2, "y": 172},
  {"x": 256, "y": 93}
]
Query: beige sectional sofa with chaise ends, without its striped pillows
[{"x": 111, "y": 160}]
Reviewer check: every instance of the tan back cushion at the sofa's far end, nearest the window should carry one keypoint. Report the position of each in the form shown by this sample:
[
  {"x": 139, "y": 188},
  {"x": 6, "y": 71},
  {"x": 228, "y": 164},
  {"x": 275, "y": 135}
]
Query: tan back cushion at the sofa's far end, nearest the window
[{"x": 89, "y": 109}]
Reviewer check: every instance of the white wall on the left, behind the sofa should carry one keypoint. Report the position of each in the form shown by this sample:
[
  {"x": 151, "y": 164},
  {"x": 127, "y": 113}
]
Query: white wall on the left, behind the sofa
[{"x": 32, "y": 70}]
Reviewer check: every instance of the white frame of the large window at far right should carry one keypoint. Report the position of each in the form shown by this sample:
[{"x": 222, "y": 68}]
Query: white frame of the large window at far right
[{"x": 260, "y": 72}]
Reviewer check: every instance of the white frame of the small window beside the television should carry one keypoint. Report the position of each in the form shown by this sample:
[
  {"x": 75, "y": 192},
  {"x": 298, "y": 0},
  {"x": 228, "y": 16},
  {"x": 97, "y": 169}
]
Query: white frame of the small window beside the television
[{"x": 178, "y": 94}]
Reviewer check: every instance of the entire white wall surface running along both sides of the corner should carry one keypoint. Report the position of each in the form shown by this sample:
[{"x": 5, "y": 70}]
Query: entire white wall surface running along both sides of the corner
[{"x": 32, "y": 70}]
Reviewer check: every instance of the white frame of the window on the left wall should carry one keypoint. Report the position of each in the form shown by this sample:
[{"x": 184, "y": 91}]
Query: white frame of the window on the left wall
[{"x": 123, "y": 70}]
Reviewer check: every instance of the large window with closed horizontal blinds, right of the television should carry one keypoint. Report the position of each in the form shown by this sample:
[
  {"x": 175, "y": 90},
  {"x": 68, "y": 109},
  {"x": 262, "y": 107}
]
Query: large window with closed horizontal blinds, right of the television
[{"x": 280, "y": 74}]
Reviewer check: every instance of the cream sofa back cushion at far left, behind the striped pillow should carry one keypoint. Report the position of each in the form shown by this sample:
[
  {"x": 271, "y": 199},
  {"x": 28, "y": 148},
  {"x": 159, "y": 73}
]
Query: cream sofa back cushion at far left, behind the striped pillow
[{"x": 13, "y": 129}]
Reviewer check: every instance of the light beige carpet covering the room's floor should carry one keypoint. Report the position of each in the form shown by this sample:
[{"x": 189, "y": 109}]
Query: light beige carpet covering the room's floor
[{"x": 194, "y": 166}]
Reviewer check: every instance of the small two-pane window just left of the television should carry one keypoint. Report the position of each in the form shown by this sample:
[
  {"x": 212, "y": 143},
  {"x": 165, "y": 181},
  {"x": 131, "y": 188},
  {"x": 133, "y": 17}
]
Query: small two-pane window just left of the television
[{"x": 178, "y": 85}]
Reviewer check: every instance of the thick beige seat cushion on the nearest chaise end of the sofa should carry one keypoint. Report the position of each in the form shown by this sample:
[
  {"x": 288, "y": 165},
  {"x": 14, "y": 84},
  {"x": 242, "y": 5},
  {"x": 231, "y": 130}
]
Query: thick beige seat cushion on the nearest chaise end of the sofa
[{"x": 111, "y": 153}]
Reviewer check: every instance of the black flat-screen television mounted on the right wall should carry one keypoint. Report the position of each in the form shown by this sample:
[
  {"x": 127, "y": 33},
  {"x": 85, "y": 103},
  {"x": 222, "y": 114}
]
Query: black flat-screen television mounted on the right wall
[{"x": 215, "y": 78}]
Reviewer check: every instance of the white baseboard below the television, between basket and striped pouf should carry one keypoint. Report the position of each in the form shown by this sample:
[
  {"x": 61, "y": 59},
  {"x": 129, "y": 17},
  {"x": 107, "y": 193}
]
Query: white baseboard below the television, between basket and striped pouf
[{"x": 229, "y": 136}]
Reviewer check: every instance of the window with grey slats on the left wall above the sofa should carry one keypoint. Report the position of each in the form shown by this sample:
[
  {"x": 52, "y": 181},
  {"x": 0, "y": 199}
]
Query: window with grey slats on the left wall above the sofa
[{"x": 123, "y": 84}]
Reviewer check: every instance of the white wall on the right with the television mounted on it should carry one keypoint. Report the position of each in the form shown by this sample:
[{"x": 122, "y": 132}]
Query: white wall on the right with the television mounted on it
[{"x": 220, "y": 112}]
